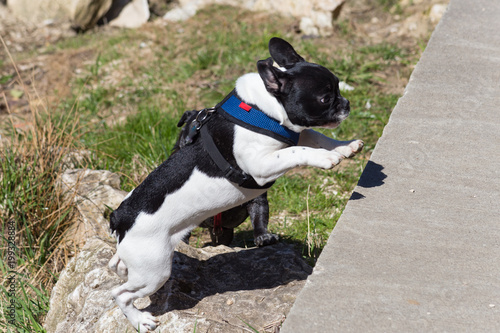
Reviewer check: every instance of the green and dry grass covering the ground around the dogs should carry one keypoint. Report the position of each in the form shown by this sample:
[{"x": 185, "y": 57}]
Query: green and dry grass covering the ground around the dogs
[{"x": 125, "y": 106}]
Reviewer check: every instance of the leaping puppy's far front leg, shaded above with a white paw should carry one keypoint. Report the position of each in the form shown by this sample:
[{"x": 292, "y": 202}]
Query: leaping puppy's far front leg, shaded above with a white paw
[{"x": 313, "y": 139}]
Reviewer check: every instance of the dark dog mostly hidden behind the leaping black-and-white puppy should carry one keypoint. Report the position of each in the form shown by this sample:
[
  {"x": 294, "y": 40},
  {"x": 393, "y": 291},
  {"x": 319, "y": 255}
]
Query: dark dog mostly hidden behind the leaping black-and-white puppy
[{"x": 221, "y": 226}]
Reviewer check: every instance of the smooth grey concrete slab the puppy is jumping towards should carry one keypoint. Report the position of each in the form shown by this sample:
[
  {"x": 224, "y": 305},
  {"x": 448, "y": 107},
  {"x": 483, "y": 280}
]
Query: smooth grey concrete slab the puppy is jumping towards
[{"x": 418, "y": 246}]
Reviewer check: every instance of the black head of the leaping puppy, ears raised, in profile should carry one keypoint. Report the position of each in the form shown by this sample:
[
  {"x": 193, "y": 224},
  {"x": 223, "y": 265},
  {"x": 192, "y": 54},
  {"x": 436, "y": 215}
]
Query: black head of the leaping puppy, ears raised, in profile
[{"x": 309, "y": 92}]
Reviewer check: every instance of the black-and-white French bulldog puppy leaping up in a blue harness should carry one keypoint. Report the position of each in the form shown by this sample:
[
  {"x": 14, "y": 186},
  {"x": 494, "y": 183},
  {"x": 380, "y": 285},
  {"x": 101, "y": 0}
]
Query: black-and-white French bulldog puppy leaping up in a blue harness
[{"x": 238, "y": 149}]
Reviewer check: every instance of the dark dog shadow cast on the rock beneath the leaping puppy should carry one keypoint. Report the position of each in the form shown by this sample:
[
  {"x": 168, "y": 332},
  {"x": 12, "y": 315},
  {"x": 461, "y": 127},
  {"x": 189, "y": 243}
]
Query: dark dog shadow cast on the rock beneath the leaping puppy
[{"x": 194, "y": 279}]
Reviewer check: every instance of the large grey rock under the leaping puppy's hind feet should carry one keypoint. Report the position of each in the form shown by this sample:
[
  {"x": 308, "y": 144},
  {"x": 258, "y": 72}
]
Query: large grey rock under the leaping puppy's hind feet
[{"x": 215, "y": 289}]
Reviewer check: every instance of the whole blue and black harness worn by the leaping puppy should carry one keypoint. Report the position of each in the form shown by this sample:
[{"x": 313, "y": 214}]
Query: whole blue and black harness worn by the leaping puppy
[{"x": 233, "y": 109}]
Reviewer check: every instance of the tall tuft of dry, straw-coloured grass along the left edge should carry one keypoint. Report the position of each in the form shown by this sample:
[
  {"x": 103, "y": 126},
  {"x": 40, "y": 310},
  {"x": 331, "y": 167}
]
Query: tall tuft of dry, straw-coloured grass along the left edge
[{"x": 31, "y": 202}]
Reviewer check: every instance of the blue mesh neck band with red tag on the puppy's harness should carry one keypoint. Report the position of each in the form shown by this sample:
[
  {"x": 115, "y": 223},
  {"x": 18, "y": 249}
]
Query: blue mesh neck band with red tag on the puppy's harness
[{"x": 235, "y": 110}]
